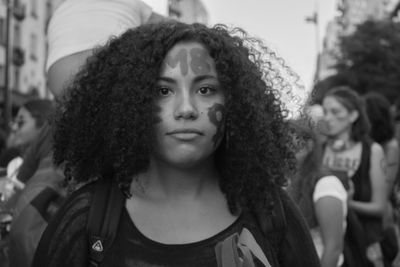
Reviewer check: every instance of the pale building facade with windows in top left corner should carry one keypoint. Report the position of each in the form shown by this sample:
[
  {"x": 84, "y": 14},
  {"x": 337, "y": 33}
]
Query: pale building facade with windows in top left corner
[{"x": 27, "y": 49}]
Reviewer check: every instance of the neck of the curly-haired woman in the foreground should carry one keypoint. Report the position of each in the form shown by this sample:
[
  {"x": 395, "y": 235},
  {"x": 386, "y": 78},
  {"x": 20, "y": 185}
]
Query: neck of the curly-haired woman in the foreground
[{"x": 166, "y": 181}]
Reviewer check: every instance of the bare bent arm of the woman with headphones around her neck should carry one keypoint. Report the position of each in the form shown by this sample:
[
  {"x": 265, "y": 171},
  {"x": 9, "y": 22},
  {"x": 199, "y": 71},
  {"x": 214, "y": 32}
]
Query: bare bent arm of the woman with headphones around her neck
[{"x": 379, "y": 188}]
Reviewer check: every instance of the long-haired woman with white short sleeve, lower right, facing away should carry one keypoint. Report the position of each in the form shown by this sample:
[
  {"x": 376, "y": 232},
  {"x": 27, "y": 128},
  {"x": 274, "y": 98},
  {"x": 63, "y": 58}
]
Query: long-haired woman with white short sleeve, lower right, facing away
[{"x": 321, "y": 196}]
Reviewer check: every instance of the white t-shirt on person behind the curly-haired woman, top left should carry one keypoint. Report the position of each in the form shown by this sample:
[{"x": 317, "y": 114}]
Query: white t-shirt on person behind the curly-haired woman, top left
[{"x": 79, "y": 25}]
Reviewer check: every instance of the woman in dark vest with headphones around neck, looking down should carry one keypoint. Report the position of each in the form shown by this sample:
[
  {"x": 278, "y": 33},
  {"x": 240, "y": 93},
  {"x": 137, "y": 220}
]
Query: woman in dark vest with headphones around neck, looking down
[{"x": 349, "y": 150}]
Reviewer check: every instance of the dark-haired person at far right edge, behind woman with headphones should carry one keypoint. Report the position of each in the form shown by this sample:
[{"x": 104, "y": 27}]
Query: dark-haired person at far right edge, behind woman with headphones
[{"x": 383, "y": 132}]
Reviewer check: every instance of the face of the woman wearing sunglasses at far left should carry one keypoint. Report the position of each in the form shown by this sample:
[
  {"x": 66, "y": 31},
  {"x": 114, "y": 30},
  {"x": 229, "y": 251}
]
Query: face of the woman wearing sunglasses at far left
[{"x": 24, "y": 127}]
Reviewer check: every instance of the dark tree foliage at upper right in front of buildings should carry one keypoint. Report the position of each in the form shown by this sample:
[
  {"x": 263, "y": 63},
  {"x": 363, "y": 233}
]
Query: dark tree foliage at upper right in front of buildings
[{"x": 370, "y": 58}]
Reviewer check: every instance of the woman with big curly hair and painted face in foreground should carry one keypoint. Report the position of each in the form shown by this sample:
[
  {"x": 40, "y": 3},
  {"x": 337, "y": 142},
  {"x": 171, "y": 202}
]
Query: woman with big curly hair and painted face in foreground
[{"x": 182, "y": 118}]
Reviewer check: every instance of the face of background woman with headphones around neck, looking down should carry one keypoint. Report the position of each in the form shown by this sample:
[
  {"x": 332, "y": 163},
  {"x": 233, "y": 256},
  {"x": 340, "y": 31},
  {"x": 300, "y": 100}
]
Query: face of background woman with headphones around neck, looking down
[{"x": 337, "y": 117}]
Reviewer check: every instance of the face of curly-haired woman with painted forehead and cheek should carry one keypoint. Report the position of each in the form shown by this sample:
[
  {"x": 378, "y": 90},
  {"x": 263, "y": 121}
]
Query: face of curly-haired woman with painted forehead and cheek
[{"x": 191, "y": 102}]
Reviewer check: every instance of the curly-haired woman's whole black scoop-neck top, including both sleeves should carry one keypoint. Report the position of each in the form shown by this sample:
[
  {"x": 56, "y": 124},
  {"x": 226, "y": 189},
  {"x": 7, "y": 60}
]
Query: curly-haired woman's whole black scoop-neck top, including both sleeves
[{"x": 68, "y": 245}]
